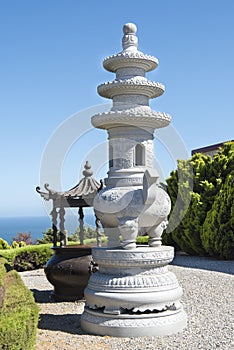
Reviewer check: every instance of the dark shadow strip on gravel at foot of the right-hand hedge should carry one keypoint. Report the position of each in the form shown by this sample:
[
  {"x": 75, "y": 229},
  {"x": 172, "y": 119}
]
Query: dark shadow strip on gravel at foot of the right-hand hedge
[{"x": 195, "y": 262}]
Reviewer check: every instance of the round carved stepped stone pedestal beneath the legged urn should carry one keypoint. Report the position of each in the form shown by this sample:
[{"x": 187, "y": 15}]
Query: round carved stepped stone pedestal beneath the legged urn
[{"x": 133, "y": 294}]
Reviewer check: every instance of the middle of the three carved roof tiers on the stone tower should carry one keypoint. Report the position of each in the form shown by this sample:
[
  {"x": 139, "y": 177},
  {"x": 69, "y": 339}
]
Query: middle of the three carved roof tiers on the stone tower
[{"x": 132, "y": 86}]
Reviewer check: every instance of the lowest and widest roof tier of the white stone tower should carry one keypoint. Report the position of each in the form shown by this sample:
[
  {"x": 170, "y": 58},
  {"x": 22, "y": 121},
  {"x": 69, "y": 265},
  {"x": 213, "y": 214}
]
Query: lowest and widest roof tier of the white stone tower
[{"x": 142, "y": 117}]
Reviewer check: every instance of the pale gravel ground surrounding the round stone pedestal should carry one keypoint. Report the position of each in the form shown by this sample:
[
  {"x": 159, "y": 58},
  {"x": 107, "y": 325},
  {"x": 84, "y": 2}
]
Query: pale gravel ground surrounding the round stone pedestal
[{"x": 207, "y": 299}]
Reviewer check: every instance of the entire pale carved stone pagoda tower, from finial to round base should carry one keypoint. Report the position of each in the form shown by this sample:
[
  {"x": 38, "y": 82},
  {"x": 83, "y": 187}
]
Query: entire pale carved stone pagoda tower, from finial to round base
[{"x": 133, "y": 293}]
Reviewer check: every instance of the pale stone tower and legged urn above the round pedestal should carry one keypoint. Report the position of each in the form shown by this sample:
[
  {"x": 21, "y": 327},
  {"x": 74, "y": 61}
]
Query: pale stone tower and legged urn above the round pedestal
[{"x": 128, "y": 205}]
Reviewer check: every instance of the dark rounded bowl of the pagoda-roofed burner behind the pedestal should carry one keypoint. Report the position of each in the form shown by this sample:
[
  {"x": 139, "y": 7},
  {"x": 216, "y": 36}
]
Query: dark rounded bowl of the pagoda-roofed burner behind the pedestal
[{"x": 68, "y": 270}]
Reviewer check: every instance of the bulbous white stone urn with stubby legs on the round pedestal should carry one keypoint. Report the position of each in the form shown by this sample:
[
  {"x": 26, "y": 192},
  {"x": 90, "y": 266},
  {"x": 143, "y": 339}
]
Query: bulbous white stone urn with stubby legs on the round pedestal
[{"x": 127, "y": 211}]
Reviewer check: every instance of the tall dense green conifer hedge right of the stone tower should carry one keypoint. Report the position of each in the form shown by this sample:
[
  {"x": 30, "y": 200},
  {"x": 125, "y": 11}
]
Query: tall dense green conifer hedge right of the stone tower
[{"x": 196, "y": 188}]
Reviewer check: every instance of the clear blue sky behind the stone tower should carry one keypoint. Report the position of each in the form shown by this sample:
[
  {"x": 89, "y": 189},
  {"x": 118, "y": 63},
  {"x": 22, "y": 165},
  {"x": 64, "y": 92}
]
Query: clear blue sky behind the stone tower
[{"x": 51, "y": 64}]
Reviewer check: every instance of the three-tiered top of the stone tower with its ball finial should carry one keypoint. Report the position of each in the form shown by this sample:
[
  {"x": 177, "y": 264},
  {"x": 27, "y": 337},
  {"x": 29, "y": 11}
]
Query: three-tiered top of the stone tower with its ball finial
[{"x": 130, "y": 90}]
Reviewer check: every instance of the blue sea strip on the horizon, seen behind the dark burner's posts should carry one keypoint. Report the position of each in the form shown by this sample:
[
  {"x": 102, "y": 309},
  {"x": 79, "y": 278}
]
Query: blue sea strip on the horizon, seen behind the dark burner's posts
[{"x": 36, "y": 225}]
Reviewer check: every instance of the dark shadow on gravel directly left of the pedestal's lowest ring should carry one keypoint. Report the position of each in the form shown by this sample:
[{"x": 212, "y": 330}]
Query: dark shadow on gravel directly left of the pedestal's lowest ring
[{"x": 68, "y": 323}]
